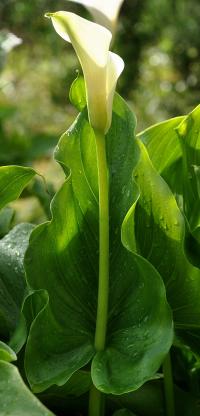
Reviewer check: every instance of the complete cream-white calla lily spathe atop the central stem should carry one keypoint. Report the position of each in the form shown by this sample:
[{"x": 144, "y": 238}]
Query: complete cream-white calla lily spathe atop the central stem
[{"x": 101, "y": 68}]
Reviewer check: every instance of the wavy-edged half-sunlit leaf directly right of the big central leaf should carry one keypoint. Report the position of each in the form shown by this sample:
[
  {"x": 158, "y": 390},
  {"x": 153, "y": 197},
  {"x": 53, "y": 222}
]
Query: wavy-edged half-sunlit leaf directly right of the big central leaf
[{"x": 159, "y": 237}]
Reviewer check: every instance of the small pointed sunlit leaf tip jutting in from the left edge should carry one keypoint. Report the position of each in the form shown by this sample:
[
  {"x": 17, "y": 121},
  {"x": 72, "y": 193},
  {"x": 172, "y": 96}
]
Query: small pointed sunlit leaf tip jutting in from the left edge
[{"x": 13, "y": 180}]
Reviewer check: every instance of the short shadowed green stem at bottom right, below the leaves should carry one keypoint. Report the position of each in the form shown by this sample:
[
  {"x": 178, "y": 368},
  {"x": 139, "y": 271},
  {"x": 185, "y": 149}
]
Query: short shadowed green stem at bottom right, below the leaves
[{"x": 168, "y": 386}]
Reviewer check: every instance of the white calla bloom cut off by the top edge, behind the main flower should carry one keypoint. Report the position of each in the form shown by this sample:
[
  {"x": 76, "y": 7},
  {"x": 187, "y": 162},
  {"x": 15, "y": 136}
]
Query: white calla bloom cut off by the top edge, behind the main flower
[{"x": 104, "y": 12}]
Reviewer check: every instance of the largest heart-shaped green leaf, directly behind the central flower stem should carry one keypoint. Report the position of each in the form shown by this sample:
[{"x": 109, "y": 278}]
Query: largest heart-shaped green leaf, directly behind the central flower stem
[{"x": 62, "y": 258}]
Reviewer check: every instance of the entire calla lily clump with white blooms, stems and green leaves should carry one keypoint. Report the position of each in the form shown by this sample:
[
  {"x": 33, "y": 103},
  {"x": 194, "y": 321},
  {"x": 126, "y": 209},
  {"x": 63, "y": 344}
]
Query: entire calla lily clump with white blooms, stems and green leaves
[{"x": 92, "y": 314}]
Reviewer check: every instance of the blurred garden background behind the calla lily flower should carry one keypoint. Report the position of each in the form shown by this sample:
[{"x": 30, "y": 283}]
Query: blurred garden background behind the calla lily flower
[{"x": 159, "y": 42}]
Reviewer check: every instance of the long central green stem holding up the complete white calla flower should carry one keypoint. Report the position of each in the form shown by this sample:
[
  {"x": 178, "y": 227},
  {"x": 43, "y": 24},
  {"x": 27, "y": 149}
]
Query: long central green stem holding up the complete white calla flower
[{"x": 96, "y": 401}]
